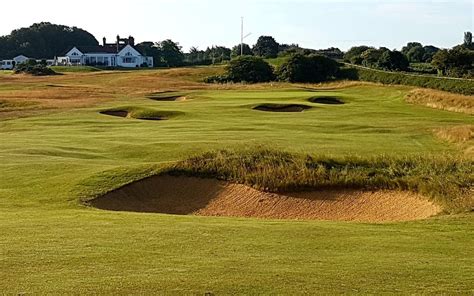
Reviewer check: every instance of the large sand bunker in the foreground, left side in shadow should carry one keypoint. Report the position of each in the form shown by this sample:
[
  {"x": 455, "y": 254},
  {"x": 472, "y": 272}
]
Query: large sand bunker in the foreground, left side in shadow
[{"x": 208, "y": 197}]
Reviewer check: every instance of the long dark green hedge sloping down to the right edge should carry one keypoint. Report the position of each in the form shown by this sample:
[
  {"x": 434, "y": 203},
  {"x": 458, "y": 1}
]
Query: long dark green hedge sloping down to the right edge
[{"x": 465, "y": 87}]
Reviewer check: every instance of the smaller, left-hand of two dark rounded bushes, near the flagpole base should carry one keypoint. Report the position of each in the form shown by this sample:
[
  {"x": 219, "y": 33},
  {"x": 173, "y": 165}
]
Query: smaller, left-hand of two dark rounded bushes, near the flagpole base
[{"x": 249, "y": 69}]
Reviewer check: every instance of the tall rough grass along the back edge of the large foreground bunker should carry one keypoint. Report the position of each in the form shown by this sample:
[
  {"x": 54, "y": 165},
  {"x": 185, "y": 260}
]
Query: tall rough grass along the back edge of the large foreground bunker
[{"x": 448, "y": 181}]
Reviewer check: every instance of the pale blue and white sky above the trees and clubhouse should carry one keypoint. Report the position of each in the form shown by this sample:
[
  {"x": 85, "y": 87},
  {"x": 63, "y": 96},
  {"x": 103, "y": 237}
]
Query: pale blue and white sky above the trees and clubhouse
[{"x": 310, "y": 23}]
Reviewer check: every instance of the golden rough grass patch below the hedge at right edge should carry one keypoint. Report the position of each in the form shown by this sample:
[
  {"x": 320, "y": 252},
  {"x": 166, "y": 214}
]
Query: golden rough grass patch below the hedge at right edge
[{"x": 442, "y": 100}]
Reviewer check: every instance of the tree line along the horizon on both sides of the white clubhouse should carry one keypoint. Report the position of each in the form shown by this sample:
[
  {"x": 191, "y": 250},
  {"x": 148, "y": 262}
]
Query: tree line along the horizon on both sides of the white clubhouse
[{"x": 46, "y": 40}]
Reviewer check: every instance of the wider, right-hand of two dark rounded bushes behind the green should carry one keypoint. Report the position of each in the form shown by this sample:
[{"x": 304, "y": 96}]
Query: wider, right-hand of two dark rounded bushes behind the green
[{"x": 312, "y": 68}]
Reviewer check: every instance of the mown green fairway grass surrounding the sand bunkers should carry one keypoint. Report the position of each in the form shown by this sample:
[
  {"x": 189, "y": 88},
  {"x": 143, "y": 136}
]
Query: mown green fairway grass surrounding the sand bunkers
[{"x": 51, "y": 243}]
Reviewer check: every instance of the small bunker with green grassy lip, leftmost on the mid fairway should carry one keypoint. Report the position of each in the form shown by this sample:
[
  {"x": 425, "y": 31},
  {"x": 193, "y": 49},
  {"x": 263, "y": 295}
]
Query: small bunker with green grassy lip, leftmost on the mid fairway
[{"x": 141, "y": 113}]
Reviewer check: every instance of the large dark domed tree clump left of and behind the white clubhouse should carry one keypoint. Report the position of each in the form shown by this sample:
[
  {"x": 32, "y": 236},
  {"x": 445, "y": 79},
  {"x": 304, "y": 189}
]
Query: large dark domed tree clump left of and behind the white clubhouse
[{"x": 44, "y": 40}]
